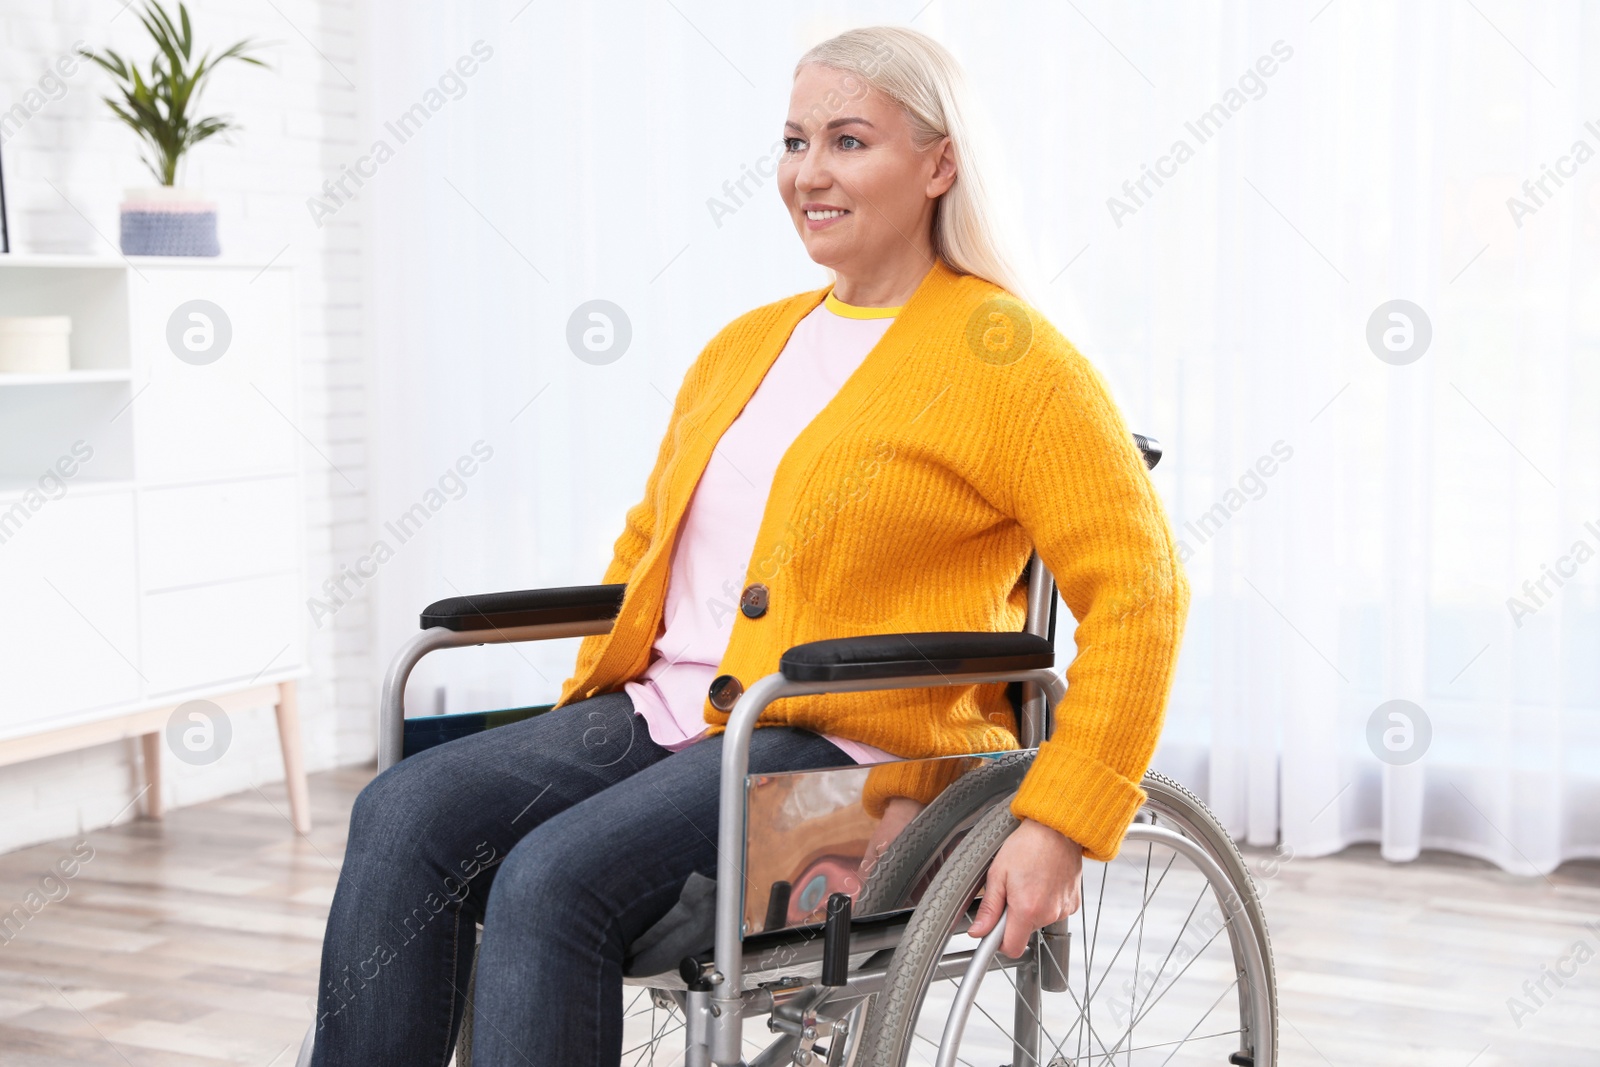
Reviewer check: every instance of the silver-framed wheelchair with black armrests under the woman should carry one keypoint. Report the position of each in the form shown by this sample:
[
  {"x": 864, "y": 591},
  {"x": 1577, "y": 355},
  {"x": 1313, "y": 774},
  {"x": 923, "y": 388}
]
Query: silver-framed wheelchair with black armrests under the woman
[{"x": 1172, "y": 965}]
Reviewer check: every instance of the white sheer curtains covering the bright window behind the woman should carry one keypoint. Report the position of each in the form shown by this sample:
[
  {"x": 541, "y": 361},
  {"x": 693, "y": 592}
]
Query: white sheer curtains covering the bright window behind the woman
[{"x": 1356, "y": 526}]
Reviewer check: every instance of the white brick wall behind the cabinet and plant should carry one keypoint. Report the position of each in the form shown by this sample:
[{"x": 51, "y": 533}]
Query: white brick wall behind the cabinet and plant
[{"x": 300, "y": 121}]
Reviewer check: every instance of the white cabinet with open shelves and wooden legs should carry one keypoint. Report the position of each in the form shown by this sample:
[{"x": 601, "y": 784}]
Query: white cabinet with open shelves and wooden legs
[{"x": 151, "y": 506}]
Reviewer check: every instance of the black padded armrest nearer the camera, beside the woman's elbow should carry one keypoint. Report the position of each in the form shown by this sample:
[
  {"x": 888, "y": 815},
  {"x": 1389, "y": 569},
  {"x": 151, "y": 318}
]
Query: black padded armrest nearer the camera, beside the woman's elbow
[{"x": 890, "y": 655}]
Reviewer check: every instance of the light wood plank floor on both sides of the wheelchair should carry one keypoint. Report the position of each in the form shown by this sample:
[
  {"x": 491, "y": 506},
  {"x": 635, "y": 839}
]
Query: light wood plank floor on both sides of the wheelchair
[{"x": 194, "y": 943}]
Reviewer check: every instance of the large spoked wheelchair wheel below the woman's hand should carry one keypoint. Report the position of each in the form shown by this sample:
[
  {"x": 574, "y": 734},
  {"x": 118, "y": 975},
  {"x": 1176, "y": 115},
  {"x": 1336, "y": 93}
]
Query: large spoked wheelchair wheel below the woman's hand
[{"x": 1172, "y": 962}]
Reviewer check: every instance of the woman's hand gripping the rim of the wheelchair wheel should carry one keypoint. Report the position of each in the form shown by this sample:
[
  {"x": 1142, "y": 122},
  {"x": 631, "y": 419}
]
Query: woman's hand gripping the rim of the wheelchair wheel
[{"x": 1036, "y": 879}]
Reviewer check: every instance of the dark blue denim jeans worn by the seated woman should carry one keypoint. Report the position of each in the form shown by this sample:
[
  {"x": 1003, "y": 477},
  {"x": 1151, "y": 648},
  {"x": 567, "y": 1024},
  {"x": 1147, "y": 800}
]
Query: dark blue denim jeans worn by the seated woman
[{"x": 567, "y": 836}]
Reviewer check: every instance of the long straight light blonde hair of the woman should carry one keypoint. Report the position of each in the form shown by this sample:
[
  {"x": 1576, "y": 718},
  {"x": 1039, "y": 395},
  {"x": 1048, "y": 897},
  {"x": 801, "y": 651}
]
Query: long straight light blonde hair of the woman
[{"x": 919, "y": 74}]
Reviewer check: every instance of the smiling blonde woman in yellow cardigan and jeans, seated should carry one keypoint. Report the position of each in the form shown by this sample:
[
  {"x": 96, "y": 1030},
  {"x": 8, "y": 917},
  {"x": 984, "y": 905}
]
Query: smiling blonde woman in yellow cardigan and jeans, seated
[{"x": 878, "y": 457}]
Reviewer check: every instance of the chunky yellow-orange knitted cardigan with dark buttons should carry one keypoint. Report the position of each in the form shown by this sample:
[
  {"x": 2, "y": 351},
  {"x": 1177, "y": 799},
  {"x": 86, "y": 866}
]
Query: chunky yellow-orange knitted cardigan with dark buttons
[{"x": 970, "y": 434}]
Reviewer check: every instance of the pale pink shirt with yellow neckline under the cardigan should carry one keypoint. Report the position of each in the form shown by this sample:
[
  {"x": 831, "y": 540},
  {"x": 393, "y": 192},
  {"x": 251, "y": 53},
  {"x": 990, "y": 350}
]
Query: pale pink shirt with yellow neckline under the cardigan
[{"x": 719, "y": 529}]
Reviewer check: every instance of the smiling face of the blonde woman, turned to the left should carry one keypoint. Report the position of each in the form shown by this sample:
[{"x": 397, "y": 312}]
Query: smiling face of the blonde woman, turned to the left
[{"x": 850, "y": 161}]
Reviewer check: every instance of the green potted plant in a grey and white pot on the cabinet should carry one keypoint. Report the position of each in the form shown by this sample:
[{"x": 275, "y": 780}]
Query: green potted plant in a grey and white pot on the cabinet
[{"x": 159, "y": 106}]
